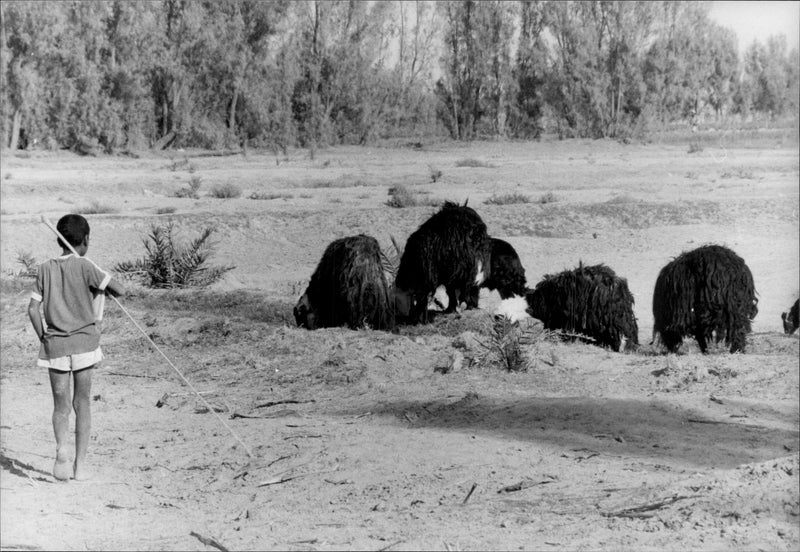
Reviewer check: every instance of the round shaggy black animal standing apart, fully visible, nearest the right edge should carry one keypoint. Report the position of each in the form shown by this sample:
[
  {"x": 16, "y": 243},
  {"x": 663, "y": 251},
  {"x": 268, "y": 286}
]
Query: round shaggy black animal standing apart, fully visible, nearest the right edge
[{"x": 707, "y": 290}]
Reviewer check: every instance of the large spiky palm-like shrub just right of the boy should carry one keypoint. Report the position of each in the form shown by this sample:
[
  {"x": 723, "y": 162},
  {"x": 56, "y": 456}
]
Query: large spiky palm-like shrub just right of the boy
[{"x": 168, "y": 264}]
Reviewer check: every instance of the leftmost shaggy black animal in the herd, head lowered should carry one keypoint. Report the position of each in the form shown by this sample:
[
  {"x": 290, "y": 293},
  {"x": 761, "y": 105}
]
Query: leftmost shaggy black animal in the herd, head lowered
[{"x": 348, "y": 288}]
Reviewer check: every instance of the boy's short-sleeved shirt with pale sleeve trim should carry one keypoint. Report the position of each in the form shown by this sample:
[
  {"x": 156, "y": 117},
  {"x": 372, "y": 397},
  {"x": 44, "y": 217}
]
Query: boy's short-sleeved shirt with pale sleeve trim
[{"x": 66, "y": 288}]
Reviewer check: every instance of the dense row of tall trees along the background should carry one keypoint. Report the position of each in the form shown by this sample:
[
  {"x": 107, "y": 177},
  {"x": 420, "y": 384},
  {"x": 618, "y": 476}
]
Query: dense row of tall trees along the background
[{"x": 237, "y": 73}]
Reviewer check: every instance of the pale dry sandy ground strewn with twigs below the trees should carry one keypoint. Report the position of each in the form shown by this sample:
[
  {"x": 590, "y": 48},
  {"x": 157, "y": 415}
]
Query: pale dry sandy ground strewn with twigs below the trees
[{"x": 414, "y": 440}]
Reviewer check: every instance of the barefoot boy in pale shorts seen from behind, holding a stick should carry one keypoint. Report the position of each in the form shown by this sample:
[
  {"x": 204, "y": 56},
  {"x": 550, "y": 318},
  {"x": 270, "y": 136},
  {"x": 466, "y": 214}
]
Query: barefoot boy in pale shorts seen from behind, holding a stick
[{"x": 70, "y": 342}]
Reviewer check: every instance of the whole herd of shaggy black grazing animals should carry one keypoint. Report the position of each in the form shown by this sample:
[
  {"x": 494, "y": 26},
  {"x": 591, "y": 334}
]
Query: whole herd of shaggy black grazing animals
[{"x": 707, "y": 293}]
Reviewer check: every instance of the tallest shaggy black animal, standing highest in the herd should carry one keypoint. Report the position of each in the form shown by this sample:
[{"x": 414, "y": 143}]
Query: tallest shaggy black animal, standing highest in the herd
[{"x": 451, "y": 249}]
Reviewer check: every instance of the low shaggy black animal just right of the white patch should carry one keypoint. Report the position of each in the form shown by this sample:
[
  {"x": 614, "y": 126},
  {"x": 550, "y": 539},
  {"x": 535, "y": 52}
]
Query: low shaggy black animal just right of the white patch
[{"x": 591, "y": 301}]
